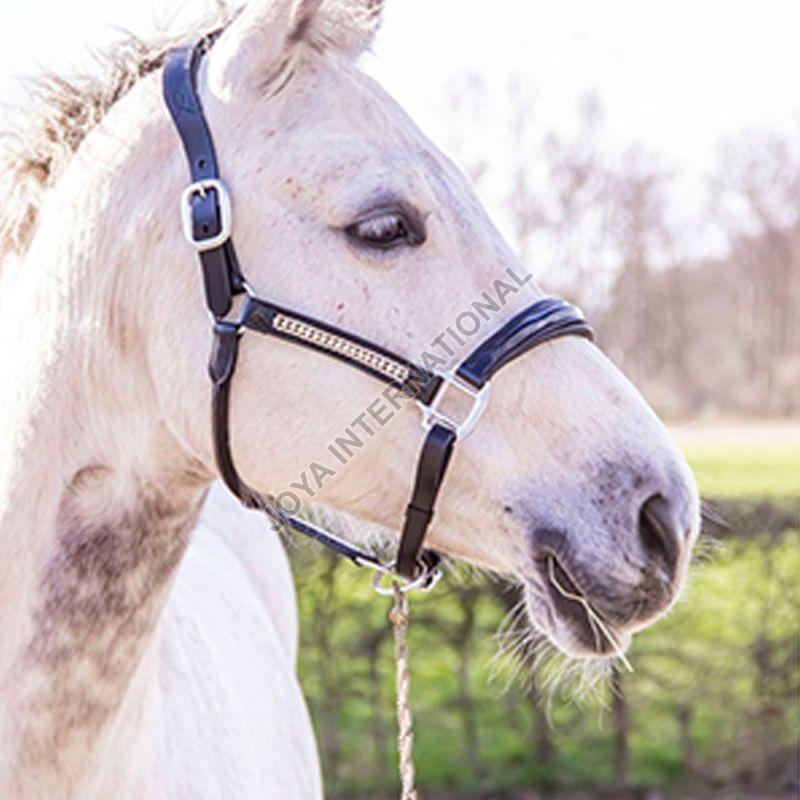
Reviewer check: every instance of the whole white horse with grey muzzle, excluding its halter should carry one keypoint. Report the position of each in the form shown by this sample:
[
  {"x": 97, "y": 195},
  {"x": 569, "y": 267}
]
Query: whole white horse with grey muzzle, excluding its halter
[{"x": 140, "y": 659}]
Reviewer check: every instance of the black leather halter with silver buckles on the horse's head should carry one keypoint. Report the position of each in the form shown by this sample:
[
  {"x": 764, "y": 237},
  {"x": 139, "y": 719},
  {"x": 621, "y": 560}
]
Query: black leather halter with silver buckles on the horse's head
[{"x": 206, "y": 215}]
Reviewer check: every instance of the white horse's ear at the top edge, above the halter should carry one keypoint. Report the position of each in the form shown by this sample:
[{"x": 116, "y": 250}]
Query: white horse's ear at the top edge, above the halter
[{"x": 257, "y": 43}]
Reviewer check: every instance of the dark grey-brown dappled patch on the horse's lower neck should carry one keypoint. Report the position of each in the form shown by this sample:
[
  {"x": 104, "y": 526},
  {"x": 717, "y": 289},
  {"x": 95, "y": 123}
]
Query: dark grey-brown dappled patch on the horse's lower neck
[{"x": 101, "y": 591}]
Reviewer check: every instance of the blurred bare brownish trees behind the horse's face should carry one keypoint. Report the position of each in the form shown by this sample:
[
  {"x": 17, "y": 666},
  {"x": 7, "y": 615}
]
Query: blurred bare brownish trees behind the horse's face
[{"x": 696, "y": 333}]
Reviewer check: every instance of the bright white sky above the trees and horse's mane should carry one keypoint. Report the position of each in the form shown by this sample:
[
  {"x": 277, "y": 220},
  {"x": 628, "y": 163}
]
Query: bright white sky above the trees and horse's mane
[{"x": 677, "y": 76}]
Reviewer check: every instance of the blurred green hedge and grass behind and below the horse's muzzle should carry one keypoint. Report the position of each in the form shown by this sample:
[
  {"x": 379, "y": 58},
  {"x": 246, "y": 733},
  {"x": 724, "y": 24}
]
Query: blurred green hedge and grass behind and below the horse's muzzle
[{"x": 712, "y": 701}]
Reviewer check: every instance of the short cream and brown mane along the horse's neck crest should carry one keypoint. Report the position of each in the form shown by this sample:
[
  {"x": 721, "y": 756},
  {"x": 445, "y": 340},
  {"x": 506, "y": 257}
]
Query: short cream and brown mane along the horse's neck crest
[{"x": 61, "y": 113}]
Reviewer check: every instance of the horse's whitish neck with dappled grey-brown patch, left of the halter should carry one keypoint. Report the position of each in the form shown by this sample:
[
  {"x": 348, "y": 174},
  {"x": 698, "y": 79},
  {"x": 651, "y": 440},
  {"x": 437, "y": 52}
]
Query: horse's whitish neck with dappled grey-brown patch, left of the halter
[{"x": 97, "y": 498}]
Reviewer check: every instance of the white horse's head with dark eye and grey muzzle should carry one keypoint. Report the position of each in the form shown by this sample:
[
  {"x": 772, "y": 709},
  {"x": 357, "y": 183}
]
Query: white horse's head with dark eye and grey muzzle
[{"x": 344, "y": 210}]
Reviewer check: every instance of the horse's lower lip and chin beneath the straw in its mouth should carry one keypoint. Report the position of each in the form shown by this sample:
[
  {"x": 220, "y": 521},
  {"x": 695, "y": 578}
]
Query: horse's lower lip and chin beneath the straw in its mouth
[{"x": 567, "y": 625}]
